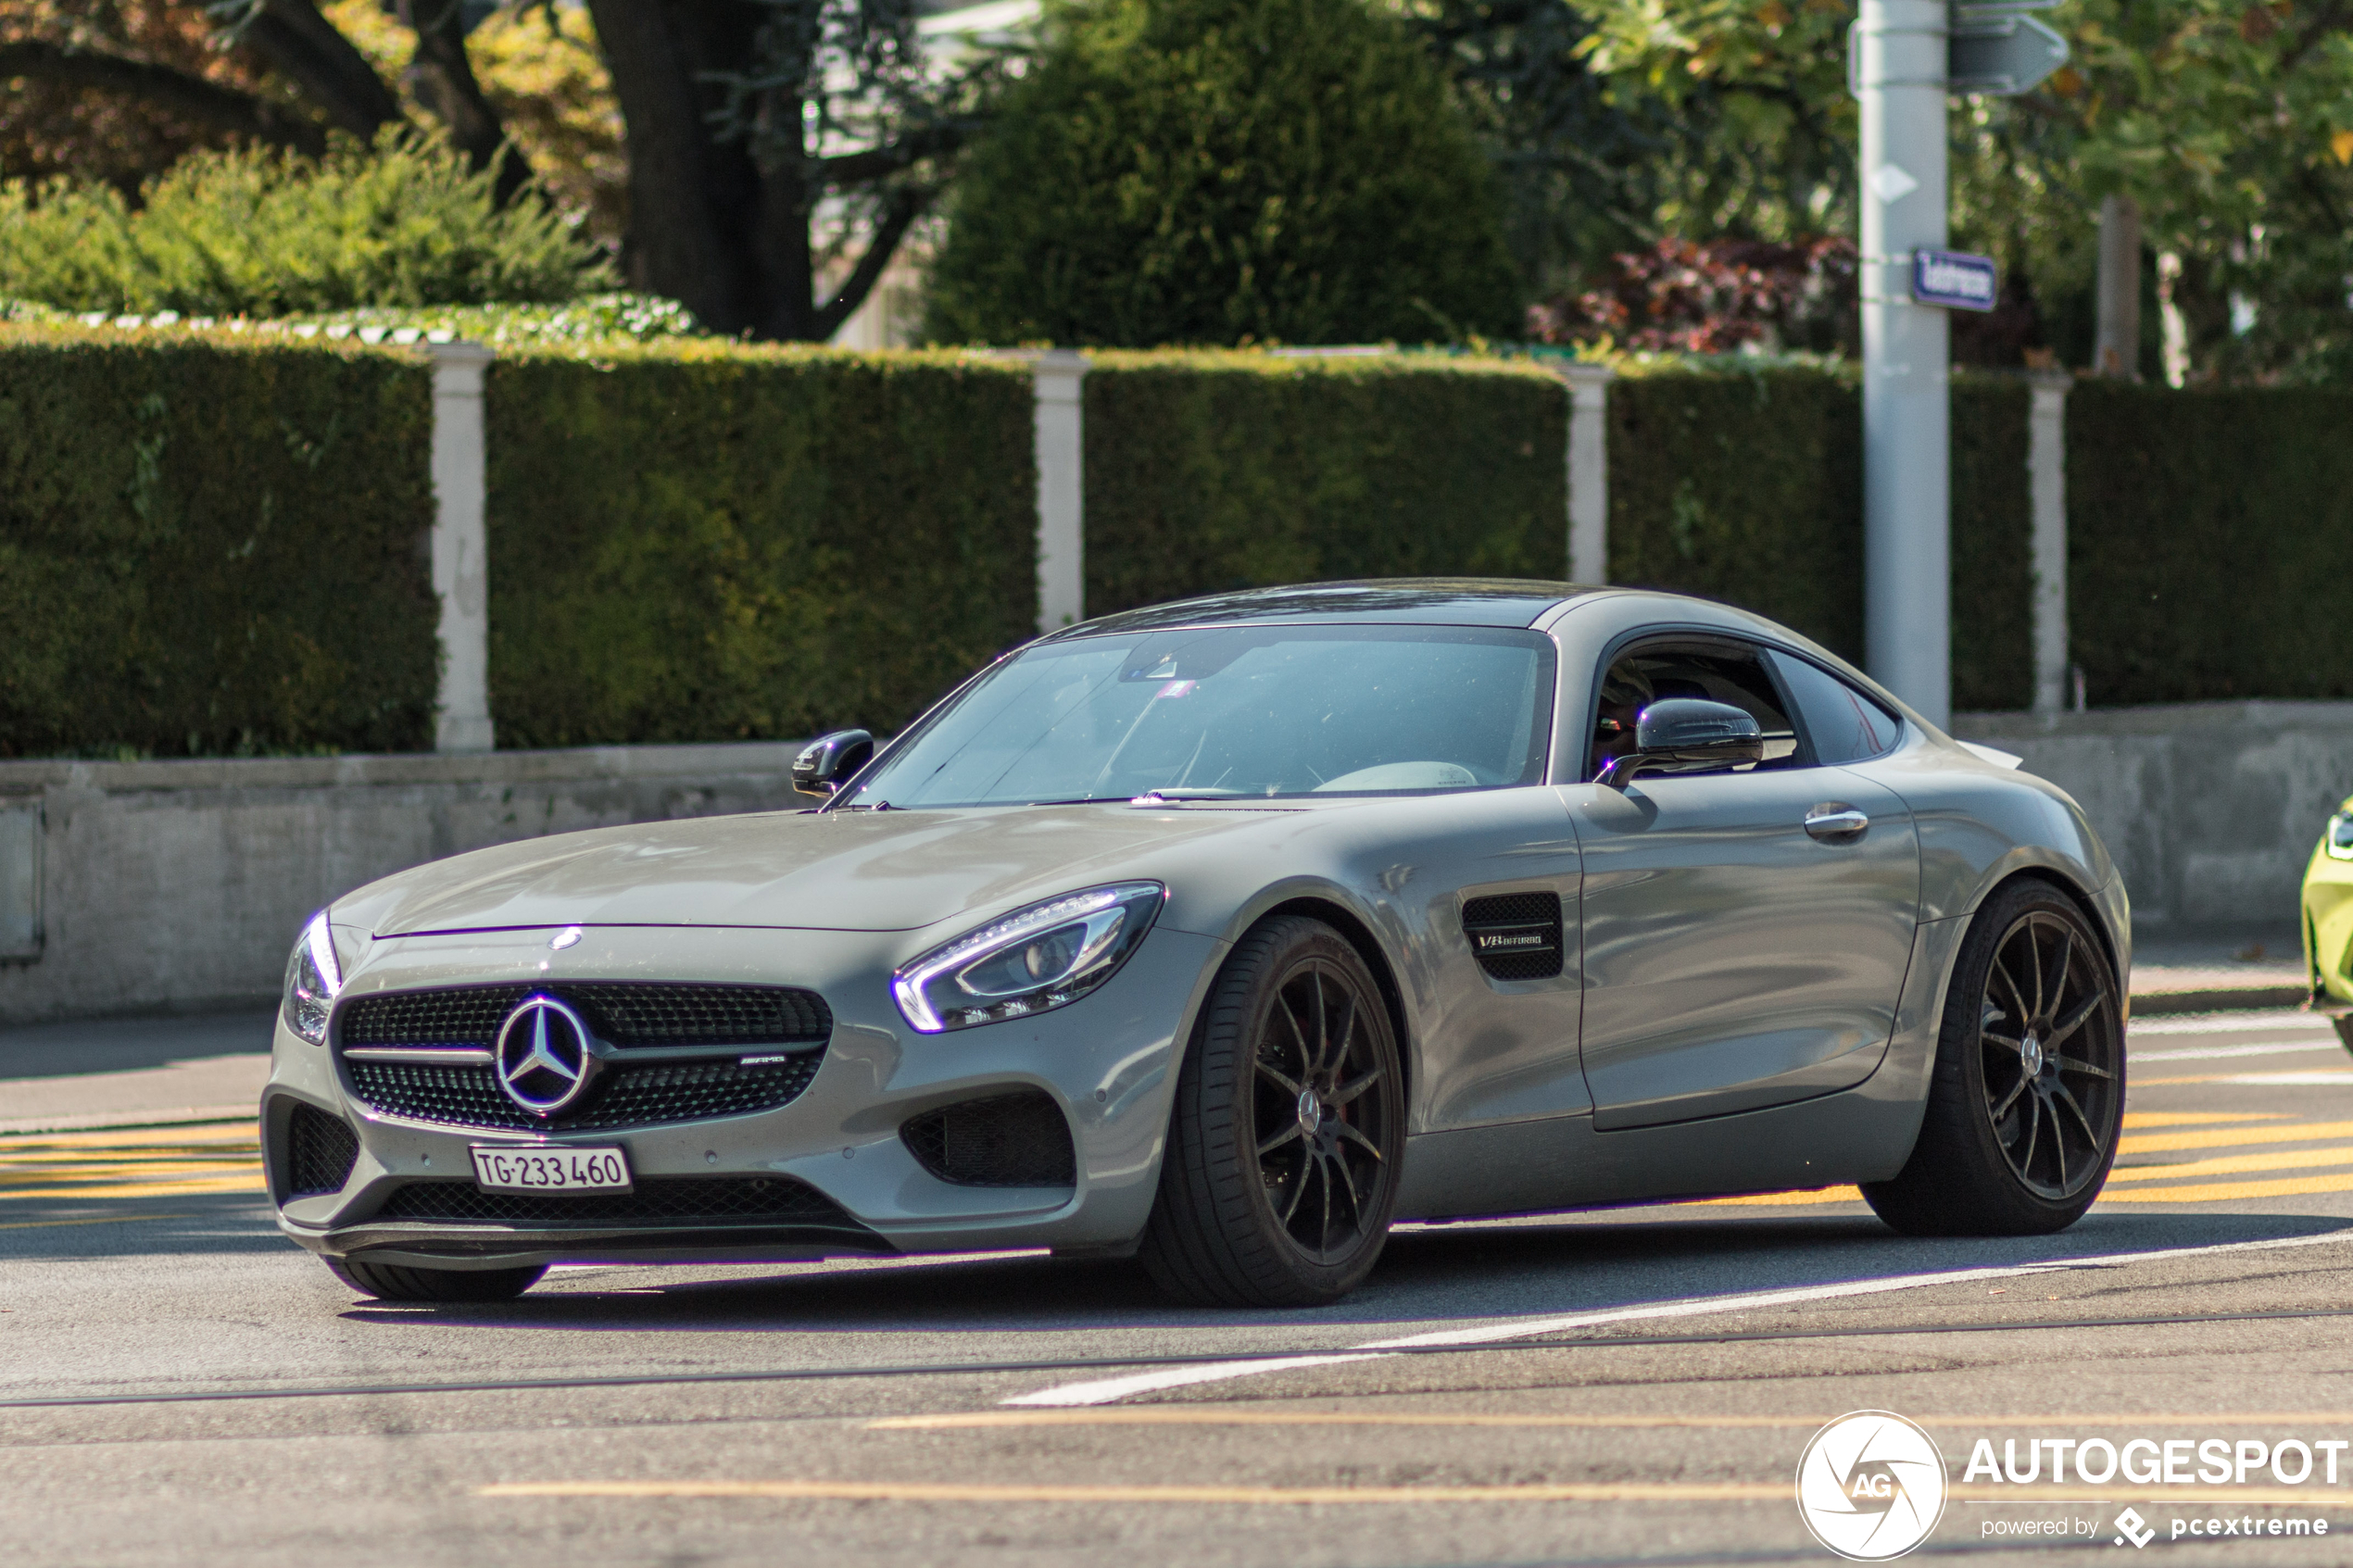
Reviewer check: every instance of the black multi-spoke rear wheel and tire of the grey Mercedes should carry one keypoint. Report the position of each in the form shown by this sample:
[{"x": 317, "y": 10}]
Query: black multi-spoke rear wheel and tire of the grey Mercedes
[{"x": 2029, "y": 1087}]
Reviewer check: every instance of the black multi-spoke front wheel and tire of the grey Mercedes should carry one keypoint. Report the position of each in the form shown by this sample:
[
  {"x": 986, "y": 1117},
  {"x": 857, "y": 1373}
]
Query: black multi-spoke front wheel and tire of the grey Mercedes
[{"x": 1281, "y": 1170}]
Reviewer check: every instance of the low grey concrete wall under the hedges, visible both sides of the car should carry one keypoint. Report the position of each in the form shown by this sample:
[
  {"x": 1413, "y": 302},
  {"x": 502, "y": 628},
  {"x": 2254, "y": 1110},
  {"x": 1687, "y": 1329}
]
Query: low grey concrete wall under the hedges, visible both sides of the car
[{"x": 180, "y": 885}]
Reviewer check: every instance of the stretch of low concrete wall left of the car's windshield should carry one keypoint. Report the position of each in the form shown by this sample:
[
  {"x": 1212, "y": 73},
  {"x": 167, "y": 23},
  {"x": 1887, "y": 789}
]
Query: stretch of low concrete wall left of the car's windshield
[{"x": 180, "y": 885}]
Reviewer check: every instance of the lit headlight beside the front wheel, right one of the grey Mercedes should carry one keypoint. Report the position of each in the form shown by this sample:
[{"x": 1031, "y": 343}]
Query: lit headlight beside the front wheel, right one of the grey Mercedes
[{"x": 1032, "y": 960}]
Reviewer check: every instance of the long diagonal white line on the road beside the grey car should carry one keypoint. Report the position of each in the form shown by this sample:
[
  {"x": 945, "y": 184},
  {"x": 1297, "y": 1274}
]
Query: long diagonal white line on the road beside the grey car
[{"x": 1107, "y": 1391}]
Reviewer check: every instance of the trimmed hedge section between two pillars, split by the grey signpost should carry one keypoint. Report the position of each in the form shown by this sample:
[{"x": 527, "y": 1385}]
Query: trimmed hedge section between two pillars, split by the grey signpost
[{"x": 1749, "y": 488}]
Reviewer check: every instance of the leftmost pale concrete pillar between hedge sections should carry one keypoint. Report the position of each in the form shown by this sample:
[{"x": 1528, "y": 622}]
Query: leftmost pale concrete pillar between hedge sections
[{"x": 460, "y": 561}]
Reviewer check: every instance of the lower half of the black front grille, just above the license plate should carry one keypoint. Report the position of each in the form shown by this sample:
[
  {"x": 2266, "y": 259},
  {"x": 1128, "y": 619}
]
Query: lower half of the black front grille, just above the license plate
[{"x": 625, "y": 1094}]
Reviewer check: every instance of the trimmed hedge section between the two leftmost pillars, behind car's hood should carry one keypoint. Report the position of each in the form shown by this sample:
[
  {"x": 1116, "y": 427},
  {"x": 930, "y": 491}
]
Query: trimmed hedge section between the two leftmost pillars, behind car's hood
[{"x": 709, "y": 542}]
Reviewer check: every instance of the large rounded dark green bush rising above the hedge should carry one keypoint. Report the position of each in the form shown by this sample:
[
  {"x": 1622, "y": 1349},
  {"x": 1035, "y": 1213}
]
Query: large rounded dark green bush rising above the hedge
[{"x": 1225, "y": 173}]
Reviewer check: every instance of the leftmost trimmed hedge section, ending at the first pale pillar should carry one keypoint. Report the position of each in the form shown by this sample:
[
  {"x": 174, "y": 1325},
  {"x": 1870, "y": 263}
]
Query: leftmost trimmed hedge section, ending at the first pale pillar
[{"x": 213, "y": 549}]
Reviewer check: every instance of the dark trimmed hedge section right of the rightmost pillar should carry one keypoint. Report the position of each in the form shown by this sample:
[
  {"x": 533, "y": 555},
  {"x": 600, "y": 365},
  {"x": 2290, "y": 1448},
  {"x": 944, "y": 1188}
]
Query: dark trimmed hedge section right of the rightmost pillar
[{"x": 2206, "y": 532}]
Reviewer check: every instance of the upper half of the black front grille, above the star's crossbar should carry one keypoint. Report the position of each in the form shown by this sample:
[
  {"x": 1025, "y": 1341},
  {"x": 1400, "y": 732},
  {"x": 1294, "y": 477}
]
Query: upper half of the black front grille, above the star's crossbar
[{"x": 620, "y": 1012}]
